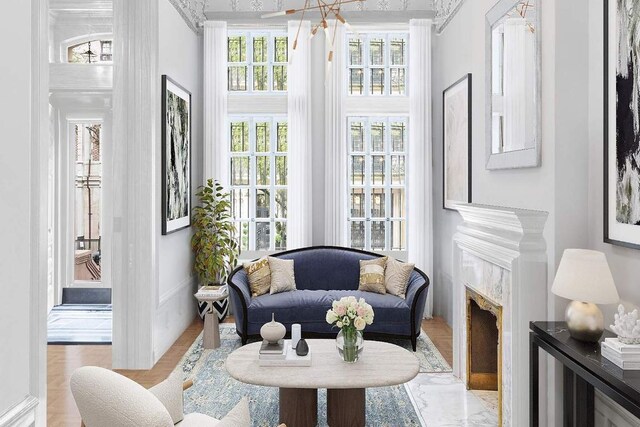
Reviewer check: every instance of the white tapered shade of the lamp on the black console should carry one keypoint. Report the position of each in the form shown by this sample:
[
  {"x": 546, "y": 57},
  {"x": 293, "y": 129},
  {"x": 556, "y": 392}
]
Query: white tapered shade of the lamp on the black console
[{"x": 584, "y": 275}]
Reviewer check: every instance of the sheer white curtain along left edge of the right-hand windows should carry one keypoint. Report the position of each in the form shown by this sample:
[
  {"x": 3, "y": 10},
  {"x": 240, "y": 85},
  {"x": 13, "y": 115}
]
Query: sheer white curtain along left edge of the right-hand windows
[{"x": 335, "y": 215}]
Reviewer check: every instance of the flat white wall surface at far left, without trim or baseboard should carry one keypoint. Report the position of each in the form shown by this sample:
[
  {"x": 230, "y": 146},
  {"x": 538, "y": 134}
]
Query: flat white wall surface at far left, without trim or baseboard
[{"x": 15, "y": 181}]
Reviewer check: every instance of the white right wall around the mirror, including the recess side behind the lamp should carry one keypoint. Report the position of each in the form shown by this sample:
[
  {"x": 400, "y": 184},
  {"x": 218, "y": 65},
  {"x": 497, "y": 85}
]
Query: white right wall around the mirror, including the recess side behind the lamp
[{"x": 559, "y": 186}]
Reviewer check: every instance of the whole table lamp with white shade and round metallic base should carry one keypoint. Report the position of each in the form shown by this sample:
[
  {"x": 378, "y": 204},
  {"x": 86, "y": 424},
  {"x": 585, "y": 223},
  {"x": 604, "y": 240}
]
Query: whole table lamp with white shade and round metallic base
[{"x": 584, "y": 277}]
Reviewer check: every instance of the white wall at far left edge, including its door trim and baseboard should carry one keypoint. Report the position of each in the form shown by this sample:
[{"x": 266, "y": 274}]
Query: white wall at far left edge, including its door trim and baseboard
[{"x": 23, "y": 165}]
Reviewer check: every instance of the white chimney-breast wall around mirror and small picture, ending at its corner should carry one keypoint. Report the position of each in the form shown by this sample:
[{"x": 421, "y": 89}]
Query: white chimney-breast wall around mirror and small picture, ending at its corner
[{"x": 459, "y": 50}]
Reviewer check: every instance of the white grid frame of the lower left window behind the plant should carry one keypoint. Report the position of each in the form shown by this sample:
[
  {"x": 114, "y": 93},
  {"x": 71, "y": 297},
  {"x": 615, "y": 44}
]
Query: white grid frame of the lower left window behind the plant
[{"x": 252, "y": 119}]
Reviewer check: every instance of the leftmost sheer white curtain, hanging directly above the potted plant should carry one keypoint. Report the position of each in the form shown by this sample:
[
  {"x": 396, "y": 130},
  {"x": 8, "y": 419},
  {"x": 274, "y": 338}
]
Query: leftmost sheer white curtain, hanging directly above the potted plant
[{"x": 216, "y": 156}]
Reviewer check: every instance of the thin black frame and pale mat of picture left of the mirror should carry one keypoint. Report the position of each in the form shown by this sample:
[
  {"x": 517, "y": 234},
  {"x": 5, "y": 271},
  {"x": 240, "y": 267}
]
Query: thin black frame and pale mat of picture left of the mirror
[{"x": 468, "y": 79}]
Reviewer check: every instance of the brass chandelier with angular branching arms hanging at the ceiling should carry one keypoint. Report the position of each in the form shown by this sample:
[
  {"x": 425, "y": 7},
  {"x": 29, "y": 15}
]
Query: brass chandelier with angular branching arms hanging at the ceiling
[{"x": 328, "y": 10}]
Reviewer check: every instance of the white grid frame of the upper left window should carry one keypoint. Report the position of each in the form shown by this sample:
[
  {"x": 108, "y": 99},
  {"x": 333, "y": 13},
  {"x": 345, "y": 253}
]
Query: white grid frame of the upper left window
[{"x": 249, "y": 63}]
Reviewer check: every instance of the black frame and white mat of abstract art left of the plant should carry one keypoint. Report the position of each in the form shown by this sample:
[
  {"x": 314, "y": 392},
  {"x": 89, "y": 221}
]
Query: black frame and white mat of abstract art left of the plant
[{"x": 171, "y": 225}]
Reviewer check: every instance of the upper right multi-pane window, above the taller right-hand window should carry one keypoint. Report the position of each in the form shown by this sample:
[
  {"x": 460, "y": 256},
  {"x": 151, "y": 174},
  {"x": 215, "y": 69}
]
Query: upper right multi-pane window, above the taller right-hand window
[{"x": 377, "y": 64}]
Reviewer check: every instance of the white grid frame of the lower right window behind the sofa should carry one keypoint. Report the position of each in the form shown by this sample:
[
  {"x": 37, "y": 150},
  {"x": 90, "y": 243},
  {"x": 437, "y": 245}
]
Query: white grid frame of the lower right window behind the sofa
[{"x": 367, "y": 185}]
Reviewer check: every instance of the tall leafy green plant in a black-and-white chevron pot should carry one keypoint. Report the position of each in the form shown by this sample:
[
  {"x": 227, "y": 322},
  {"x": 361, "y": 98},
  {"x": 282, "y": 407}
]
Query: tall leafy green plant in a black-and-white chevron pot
[{"x": 213, "y": 242}]
